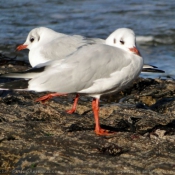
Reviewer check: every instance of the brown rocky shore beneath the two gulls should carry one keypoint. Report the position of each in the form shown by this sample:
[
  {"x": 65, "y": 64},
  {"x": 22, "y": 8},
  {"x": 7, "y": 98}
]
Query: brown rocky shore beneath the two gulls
[{"x": 38, "y": 138}]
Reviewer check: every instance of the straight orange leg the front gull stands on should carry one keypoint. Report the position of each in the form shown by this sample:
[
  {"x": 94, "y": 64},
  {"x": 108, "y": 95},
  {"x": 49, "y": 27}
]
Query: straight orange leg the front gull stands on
[{"x": 98, "y": 129}]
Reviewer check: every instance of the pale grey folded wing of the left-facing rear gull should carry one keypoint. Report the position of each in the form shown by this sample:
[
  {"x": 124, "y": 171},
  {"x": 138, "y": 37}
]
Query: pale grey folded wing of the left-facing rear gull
[{"x": 66, "y": 45}]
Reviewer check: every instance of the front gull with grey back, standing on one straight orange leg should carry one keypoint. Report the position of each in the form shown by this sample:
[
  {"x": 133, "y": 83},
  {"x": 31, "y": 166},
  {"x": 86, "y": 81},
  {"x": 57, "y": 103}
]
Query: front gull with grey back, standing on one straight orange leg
[{"x": 93, "y": 70}]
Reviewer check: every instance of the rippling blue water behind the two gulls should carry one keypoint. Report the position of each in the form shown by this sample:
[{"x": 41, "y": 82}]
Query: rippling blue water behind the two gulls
[{"x": 152, "y": 21}]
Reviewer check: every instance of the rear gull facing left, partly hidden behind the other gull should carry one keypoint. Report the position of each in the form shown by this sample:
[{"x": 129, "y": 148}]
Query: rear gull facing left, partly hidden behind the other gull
[{"x": 45, "y": 44}]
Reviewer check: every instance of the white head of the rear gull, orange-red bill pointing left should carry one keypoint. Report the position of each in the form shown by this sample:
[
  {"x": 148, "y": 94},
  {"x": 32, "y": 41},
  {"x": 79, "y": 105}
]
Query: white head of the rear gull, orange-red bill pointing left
[{"x": 37, "y": 37}]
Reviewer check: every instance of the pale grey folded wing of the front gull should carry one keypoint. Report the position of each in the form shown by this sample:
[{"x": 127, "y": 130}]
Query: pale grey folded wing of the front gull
[{"x": 81, "y": 69}]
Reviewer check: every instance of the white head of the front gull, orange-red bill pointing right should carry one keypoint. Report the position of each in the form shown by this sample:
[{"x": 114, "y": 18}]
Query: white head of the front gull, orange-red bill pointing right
[{"x": 123, "y": 38}]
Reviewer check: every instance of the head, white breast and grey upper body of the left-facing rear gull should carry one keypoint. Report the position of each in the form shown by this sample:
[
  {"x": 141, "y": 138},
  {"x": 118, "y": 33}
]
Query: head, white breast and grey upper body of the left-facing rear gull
[{"x": 45, "y": 45}]
